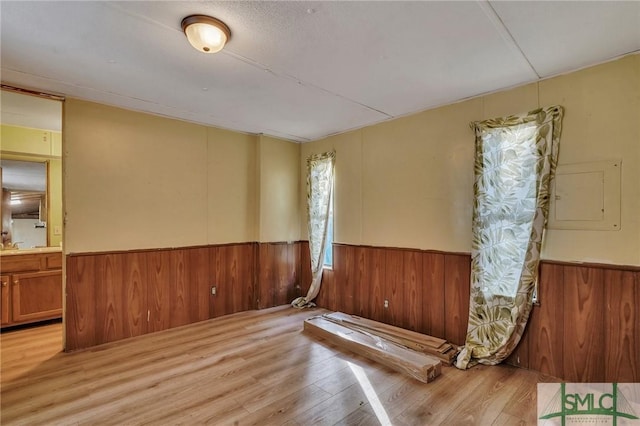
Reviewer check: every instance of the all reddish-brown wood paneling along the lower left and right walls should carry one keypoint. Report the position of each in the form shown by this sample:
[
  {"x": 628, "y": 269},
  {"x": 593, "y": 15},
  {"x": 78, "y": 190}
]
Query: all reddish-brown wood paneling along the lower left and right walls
[{"x": 586, "y": 327}]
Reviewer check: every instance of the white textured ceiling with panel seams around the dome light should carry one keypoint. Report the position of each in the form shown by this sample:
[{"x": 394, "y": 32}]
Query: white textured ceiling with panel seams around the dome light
[{"x": 304, "y": 70}]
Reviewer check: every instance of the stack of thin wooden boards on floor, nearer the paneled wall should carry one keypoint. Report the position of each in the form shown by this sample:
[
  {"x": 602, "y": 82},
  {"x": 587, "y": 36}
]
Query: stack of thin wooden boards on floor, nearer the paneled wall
[{"x": 429, "y": 345}]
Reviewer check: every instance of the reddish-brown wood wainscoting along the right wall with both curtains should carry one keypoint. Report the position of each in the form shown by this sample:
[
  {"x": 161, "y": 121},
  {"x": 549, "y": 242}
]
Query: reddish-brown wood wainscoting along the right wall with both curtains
[{"x": 586, "y": 327}]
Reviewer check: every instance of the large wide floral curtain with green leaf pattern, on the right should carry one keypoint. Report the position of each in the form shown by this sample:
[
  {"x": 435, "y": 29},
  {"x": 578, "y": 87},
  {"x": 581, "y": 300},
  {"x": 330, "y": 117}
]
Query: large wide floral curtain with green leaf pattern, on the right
[{"x": 515, "y": 160}]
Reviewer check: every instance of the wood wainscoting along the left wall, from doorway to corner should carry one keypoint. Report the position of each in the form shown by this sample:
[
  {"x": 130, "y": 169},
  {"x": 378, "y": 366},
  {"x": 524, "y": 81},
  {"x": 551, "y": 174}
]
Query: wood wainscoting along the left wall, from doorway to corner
[{"x": 116, "y": 295}]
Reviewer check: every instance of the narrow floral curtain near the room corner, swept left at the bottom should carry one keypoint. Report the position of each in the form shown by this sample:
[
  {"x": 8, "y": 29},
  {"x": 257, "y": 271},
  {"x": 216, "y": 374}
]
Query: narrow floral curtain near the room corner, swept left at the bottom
[{"x": 319, "y": 186}]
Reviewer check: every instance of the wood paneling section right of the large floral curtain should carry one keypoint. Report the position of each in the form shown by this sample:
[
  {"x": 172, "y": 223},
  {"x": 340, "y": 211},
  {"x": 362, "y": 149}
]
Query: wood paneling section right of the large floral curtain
[{"x": 586, "y": 327}]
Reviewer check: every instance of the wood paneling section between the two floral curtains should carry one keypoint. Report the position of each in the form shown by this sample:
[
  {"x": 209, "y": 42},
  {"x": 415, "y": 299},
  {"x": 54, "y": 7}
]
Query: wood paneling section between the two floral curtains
[{"x": 426, "y": 292}]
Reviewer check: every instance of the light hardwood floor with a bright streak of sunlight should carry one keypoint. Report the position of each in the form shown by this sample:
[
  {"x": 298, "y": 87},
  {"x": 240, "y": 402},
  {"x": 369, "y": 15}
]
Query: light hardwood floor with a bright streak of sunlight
[{"x": 255, "y": 367}]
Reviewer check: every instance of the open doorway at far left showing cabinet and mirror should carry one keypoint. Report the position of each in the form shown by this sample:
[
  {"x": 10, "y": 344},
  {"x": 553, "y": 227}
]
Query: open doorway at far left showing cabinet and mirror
[{"x": 31, "y": 209}]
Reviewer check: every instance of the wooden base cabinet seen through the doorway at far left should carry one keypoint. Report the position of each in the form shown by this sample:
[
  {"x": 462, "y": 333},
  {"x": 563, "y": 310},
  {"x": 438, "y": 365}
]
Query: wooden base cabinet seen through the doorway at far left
[{"x": 31, "y": 288}]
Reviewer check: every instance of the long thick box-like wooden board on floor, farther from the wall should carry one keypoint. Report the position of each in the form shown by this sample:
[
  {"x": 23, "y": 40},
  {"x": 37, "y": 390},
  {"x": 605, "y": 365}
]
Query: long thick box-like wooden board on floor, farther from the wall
[{"x": 417, "y": 365}]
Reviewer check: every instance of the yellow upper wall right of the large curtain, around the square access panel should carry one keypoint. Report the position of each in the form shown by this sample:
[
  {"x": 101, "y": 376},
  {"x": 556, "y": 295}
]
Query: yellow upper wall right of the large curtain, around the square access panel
[{"x": 602, "y": 122}]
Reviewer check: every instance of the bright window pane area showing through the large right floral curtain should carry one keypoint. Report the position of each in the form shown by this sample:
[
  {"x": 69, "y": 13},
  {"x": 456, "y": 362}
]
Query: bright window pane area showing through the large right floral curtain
[{"x": 505, "y": 207}]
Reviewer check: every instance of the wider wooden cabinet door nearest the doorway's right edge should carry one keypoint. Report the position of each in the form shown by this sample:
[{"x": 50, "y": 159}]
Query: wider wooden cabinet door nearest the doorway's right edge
[{"x": 37, "y": 296}]
